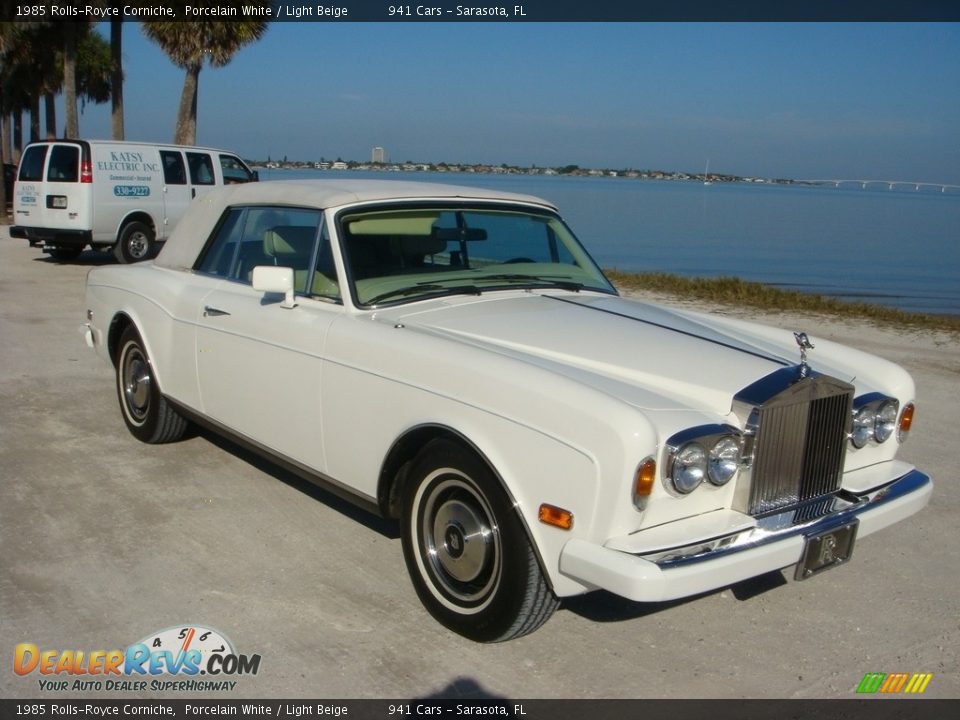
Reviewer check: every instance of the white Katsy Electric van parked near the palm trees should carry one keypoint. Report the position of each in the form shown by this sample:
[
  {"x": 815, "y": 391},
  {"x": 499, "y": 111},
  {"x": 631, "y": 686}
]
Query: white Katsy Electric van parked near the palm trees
[{"x": 108, "y": 194}]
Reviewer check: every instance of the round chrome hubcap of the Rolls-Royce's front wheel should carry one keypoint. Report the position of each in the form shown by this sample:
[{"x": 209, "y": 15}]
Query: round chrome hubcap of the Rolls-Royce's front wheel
[{"x": 461, "y": 541}]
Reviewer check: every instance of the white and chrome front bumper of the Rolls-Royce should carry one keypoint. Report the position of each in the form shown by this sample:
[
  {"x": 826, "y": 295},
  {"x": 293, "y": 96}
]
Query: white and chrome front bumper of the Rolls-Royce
[{"x": 770, "y": 543}]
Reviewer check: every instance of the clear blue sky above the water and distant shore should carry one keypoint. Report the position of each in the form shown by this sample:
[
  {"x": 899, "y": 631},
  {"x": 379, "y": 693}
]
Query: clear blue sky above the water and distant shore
[{"x": 795, "y": 100}]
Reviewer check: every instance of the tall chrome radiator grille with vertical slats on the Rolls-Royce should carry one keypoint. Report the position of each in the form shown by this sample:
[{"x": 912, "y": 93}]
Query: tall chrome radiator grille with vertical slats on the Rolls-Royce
[{"x": 795, "y": 440}]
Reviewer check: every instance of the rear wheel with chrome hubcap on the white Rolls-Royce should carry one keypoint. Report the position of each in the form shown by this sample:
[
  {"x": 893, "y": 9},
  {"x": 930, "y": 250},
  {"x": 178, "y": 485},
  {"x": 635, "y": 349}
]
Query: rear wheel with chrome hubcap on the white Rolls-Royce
[{"x": 146, "y": 412}]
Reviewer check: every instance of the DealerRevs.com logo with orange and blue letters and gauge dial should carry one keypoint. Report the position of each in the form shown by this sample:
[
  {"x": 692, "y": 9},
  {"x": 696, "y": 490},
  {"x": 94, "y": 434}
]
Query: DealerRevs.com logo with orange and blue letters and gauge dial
[{"x": 181, "y": 658}]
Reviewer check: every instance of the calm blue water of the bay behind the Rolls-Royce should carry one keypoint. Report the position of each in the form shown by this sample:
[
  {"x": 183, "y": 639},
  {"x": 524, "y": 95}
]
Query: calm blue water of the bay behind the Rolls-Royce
[{"x": 892, "y": 247}]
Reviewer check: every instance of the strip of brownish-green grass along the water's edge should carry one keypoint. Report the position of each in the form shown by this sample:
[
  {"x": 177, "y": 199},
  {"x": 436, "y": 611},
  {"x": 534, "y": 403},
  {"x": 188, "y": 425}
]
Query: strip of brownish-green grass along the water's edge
[{"x": 739, "y": 293}]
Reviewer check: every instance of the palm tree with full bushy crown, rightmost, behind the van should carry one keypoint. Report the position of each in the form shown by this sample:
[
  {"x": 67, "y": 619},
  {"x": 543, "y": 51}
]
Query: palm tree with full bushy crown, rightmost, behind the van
[{"x": 189, "y": 45}]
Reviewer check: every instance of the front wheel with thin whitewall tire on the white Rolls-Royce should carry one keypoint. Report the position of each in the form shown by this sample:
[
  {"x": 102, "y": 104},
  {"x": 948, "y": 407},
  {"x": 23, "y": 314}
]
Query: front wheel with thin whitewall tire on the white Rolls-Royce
[{"x": 466, "y": 550}]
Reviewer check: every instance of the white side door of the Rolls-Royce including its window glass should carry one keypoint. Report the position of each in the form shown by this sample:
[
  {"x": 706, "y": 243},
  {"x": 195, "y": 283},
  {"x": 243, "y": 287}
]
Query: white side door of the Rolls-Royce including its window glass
[{"x": 259, "y": 363}]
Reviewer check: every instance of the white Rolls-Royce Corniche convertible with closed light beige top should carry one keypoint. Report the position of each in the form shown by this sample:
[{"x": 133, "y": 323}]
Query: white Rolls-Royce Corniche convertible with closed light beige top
[{"x": 453, "y": 358}]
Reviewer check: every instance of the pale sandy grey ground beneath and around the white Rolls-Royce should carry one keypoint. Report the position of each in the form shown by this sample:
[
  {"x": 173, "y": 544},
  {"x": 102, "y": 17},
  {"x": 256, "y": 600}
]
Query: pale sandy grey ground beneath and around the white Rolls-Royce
[{"x": 105, "y": 541}]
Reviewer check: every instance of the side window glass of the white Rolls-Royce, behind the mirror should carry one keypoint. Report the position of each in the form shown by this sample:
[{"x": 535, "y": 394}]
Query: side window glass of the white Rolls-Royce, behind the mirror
[{"x": 280, "y": 236}]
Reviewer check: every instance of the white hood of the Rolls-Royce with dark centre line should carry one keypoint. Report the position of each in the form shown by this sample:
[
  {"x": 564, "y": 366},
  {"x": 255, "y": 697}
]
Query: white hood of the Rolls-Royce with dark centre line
[{"x": 649, "y": 356}]
